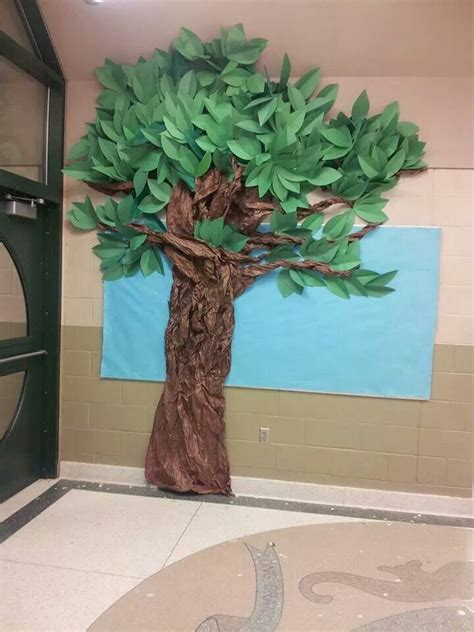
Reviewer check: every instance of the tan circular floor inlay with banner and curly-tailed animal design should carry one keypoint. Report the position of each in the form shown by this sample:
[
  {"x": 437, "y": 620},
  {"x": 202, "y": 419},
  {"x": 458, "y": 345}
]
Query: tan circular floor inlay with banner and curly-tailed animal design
[{"x": 347, "y": 576}]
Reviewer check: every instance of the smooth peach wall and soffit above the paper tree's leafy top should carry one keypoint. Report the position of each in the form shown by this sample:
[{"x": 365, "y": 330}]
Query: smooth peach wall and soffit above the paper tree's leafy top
[{"x": 425, "y": 62}]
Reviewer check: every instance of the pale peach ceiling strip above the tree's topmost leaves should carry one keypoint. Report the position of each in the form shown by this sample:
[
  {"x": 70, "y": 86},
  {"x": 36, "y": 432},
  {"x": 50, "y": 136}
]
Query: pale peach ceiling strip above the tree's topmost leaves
[{"x": 345, "y": 37}]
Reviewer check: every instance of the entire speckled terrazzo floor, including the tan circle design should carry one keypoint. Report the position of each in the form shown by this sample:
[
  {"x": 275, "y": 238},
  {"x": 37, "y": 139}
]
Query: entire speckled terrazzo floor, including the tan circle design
[{"x": 87, "y": 556}]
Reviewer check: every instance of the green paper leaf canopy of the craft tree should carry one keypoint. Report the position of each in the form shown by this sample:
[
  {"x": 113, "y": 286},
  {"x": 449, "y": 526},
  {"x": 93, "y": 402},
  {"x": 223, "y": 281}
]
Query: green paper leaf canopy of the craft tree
[{"x": 172, "y": 120}]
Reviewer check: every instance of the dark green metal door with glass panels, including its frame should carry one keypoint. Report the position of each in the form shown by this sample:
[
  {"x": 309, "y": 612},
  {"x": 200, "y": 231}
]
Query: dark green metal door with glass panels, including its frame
[{"x": 31, "y": 144}]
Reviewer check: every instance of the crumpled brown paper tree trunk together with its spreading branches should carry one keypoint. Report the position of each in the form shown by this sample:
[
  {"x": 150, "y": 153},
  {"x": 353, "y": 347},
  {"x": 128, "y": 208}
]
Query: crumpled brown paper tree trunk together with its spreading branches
[{"x": 187, "y": 446}]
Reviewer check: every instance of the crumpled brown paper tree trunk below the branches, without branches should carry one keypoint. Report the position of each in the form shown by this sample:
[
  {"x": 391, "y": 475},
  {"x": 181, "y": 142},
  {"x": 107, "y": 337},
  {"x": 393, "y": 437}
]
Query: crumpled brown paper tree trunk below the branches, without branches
[{"x": 187, "y": 450}]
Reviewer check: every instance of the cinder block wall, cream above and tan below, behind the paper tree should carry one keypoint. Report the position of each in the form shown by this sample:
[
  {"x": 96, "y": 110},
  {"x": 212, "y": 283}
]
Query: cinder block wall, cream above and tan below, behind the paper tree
[{"x": 330, "y": 439}]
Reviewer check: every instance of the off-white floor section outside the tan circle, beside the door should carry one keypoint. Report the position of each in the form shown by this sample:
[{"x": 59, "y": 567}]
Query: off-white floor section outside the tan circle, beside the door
[{"x": 75, "y": 559}]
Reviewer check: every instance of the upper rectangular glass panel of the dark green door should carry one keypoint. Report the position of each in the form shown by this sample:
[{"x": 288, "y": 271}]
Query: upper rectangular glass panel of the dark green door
[{"x": 23, "y": 110}]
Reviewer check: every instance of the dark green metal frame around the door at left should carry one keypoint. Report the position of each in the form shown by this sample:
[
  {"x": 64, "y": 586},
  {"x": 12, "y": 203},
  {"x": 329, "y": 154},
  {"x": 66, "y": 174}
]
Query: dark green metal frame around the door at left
[{"x": 45, "y": 68}]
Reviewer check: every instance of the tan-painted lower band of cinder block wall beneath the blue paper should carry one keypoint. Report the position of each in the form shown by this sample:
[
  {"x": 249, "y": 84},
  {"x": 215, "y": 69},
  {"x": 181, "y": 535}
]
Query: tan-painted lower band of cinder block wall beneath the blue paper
[{"x": 331, "y": 439}]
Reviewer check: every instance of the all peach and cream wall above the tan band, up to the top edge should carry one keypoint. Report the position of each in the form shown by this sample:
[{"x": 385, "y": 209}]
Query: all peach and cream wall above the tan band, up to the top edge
[{"x": 420, "y": 63}]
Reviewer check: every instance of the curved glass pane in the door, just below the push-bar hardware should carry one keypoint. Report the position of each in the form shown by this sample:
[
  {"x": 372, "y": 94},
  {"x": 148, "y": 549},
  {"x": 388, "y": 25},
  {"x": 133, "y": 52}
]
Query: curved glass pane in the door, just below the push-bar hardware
[{"x": 13, "y": 319}]
